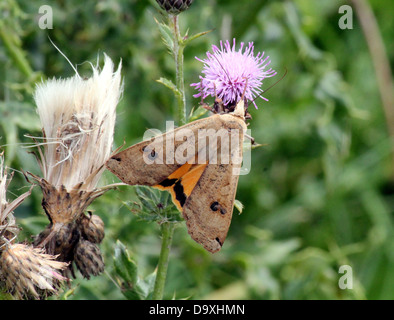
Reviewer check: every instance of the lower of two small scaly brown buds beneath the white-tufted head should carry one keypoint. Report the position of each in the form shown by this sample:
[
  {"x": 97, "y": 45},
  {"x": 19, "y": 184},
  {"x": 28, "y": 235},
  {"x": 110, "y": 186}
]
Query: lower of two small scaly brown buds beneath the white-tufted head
[{"x": 88, "y": 258}]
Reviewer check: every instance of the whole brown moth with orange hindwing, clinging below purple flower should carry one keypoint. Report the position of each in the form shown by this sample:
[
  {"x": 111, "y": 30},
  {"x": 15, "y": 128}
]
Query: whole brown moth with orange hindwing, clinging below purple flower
[{"x": 201, "y": 176}]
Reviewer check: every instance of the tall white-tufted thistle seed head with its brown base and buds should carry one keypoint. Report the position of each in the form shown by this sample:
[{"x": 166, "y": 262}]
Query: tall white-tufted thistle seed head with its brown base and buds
[{"x": 78, "y": 119}]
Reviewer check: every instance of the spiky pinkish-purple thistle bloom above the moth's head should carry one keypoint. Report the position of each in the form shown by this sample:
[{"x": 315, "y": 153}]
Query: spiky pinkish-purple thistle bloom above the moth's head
[{"x": 228, "y": 71}]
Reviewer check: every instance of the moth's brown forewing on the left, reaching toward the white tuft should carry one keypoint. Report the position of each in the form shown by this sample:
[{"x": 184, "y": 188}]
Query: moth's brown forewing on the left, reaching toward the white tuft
[{"x": 151, "y": 161}]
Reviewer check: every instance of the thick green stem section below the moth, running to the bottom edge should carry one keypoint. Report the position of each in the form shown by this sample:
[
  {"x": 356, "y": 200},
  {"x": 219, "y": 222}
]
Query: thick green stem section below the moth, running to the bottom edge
[{"x": 167, "y": 231}]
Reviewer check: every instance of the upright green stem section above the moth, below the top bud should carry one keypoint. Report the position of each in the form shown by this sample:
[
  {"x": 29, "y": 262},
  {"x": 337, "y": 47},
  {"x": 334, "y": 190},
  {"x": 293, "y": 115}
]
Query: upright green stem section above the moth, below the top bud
[{"x": 178, "y": 56}]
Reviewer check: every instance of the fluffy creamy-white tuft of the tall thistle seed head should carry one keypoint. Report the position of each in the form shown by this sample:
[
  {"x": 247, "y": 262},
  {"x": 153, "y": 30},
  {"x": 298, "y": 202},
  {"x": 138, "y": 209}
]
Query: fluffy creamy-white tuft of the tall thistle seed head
[{"x": 78, "y": 119}]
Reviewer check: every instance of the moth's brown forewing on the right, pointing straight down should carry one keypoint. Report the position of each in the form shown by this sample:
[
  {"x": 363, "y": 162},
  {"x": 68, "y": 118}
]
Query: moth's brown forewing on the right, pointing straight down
[{"x": 209, "y": 207}]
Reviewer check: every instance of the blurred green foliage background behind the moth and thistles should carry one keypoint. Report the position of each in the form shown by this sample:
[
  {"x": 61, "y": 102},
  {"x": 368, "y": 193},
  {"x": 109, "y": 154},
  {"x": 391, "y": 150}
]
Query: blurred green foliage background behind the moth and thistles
[{"x": 321, "y": 190}]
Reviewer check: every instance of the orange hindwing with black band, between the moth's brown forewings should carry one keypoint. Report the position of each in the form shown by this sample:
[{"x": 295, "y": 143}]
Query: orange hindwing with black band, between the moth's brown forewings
[{"x": 182, "y": 182}]
